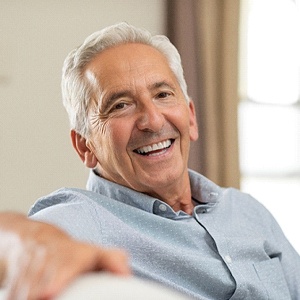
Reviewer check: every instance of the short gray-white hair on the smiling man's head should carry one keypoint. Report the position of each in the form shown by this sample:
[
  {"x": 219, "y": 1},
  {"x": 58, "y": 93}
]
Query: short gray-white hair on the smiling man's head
[{"x": 77, "y": 89}]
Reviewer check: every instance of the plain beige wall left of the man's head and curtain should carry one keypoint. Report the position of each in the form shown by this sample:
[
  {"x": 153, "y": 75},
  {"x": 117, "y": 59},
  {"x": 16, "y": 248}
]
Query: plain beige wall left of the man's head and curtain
[{"x": 36, "y": 156}]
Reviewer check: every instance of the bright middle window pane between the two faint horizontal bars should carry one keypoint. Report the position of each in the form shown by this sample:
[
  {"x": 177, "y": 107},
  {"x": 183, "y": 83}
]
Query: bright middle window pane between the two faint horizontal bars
[{"x": 269, "y": 140}]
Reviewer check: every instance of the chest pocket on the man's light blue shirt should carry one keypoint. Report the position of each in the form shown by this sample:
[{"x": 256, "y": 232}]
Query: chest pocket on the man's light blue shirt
[{"x": 271, "y": 275}]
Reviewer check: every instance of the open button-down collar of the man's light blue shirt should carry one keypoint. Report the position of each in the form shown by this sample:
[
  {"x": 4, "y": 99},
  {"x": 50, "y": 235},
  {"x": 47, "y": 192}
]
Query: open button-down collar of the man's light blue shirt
[{"x": 204, "y": 192}]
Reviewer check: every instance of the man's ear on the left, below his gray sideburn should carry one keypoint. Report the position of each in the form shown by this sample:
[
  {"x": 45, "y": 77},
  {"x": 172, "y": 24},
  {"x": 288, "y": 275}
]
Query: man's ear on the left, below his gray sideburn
[{"x": 85, "y": 153}]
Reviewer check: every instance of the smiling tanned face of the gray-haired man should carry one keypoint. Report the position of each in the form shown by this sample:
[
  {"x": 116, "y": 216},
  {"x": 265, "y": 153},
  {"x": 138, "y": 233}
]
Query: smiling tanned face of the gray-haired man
[{"x": 141, "y": 125}]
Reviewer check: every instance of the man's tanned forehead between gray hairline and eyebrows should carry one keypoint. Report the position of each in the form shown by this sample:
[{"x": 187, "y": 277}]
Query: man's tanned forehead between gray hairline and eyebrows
[{"x": 129, "y": 64}]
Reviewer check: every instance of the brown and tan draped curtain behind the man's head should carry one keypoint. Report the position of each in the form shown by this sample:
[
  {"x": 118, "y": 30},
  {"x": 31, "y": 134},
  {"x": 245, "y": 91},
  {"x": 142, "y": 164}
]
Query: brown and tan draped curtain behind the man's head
[{"x": 206, "y": 34}]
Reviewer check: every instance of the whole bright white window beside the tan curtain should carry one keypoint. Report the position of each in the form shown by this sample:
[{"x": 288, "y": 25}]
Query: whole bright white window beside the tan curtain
[{"x": 269, "y": 111}]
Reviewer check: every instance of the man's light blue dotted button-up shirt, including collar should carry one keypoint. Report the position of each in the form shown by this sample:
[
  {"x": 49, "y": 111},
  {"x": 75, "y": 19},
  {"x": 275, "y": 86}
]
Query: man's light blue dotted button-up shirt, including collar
[{"x": 230, "y": 248}]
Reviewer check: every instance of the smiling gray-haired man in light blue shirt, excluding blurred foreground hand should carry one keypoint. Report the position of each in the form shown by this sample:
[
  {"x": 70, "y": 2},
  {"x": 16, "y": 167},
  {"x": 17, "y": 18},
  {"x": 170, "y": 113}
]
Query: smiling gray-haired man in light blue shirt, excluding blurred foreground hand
[{"x": 131, "y": 123}]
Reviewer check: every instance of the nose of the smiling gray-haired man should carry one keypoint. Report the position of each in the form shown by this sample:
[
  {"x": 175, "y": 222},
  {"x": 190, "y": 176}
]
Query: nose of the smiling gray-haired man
[{"x": 150, "y": 117}]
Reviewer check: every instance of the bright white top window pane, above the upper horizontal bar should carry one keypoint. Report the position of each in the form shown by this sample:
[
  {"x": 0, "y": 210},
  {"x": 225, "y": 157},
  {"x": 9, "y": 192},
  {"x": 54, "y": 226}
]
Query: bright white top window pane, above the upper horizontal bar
[{"x": 273, "y": 62}]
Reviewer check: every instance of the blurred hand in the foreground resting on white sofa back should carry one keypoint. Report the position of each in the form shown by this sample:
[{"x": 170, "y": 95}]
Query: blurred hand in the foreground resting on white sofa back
[{"x": 38, "y": 260}]
